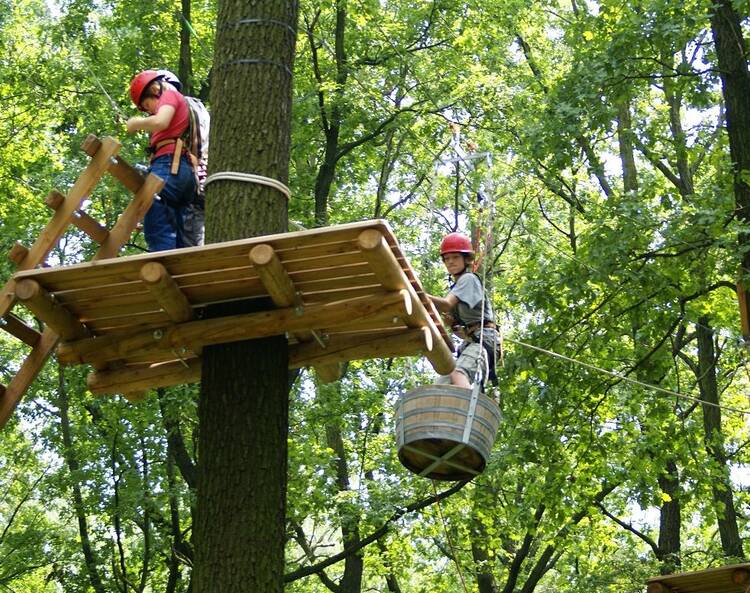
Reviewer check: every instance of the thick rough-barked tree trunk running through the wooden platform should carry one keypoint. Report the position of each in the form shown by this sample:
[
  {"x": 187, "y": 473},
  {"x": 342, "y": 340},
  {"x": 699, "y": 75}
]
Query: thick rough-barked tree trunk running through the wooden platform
[{"x": 239, "y": 531}]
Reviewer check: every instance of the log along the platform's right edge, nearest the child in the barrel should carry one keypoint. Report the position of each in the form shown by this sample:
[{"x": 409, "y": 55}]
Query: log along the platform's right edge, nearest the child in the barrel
[{"x": 387, "y": 269}]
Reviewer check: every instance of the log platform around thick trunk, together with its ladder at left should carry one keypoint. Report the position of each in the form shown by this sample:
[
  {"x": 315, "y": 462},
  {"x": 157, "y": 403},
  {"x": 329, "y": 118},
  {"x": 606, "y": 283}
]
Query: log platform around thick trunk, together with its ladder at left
[{"x": 339, "y": 293}]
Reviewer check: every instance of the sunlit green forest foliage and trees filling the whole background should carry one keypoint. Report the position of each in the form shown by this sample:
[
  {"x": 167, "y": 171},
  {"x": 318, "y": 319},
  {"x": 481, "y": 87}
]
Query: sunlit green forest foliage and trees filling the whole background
[{"x": 593, "y": 149}]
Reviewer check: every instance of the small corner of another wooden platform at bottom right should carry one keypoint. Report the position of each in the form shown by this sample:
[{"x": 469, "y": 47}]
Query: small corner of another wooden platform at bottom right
[{"x": 726, "y": 579}]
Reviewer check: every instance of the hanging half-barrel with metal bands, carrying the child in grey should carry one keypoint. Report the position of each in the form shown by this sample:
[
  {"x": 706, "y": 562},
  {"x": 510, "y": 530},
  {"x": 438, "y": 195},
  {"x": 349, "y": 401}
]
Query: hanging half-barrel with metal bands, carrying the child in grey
[{"x": 445, "y": 432}]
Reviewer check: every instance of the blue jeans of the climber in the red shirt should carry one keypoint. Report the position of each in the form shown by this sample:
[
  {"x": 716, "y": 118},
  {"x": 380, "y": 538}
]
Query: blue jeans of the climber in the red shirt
[{"x": 162, "y": 225}]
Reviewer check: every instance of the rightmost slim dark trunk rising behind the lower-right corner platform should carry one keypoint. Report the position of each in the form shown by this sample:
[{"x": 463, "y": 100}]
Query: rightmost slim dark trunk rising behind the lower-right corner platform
[{"x": 721, "y": 486}]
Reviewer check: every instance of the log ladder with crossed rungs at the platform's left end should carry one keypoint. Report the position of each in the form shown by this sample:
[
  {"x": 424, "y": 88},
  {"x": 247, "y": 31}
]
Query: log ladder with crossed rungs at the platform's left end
[{"x": 67, "y": 212}]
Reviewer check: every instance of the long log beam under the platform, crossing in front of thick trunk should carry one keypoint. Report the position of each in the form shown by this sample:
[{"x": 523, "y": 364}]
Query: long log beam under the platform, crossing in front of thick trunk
[{"x": 196, "y": 334}]
